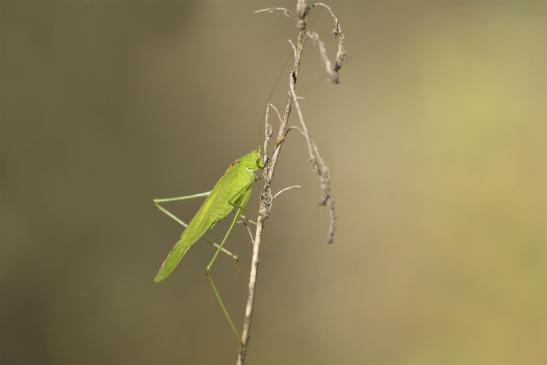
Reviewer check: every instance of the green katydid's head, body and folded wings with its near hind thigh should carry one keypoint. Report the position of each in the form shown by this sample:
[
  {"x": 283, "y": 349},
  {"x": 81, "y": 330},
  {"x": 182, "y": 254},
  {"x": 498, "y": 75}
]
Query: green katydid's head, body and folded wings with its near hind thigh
[{"x": 232, "y": 191}]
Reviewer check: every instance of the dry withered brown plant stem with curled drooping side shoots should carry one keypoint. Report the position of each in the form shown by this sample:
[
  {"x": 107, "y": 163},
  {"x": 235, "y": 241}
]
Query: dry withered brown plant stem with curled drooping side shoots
[{"x": 267, "y": 197}]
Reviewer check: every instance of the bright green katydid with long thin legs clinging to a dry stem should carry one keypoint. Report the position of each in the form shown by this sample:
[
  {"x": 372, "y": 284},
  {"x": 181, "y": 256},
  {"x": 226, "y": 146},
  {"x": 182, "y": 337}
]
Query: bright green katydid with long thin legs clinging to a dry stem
[{"x": 231, "y": 193}]
